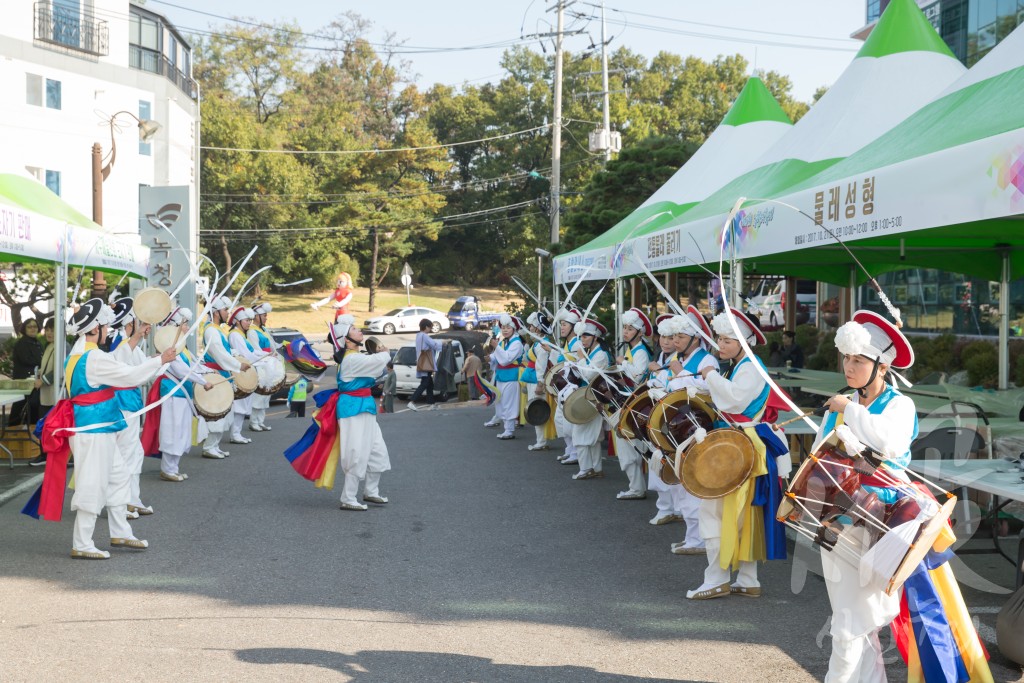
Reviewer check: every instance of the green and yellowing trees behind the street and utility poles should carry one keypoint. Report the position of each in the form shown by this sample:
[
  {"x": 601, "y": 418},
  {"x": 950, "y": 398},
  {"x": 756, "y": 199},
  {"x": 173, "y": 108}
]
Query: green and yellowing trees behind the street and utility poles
[{"x": 465, "y": 196}]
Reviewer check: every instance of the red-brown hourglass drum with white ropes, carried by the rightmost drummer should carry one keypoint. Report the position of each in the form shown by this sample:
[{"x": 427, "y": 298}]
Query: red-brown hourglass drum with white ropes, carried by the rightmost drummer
[{"x": 826, "y": 499}]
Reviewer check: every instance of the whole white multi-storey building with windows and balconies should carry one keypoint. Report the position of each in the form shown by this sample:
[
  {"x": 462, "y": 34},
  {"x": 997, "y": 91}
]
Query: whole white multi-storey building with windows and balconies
[{"x": 71, "y": 67}]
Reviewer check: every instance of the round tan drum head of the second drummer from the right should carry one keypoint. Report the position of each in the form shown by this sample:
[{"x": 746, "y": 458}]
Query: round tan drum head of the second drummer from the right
[{"x": 719, "y": 465}]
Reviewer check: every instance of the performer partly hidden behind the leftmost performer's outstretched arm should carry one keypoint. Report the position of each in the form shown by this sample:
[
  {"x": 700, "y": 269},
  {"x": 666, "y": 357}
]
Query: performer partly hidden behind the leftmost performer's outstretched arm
[{"x": 127, "y": 349}]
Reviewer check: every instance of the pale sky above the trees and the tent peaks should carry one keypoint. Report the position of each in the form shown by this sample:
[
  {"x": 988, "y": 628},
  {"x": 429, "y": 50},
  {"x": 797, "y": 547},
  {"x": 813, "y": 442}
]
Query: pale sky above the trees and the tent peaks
[{"x": 807, "y": 40}]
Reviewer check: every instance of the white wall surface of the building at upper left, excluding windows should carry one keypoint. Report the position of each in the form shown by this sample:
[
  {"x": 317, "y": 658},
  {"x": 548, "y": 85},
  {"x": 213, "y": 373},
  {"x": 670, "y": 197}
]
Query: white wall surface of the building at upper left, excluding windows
[{"x": 93, "y": 90}]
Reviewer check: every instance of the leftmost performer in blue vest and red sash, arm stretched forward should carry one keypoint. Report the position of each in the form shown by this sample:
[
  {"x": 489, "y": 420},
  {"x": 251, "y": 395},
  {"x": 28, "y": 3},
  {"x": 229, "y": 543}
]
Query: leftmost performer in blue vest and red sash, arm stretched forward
[{"x": 102, "y": 480}]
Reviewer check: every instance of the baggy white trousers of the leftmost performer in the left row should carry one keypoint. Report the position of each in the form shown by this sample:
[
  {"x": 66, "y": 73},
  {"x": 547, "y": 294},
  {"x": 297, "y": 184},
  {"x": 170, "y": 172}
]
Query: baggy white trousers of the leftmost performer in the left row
[{"x": 102, "y": 480}]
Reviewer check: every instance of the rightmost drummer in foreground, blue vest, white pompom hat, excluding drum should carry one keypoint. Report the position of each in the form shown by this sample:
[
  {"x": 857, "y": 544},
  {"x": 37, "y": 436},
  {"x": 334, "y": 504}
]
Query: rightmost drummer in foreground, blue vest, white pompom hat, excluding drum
[{"x": 879, "y": 417}]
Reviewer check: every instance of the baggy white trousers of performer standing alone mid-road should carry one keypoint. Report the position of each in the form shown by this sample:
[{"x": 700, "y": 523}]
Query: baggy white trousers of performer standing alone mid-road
[{"x": 362, "y": 455}]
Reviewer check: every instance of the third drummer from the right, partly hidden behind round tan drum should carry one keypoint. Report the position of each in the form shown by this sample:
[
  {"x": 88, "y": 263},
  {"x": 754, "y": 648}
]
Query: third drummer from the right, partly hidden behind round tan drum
[{"x": 692, "y": 341}]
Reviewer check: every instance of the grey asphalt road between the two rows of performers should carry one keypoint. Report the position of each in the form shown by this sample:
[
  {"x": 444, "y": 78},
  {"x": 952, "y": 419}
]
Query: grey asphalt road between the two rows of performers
[{"x": 489, "y": 565}]
